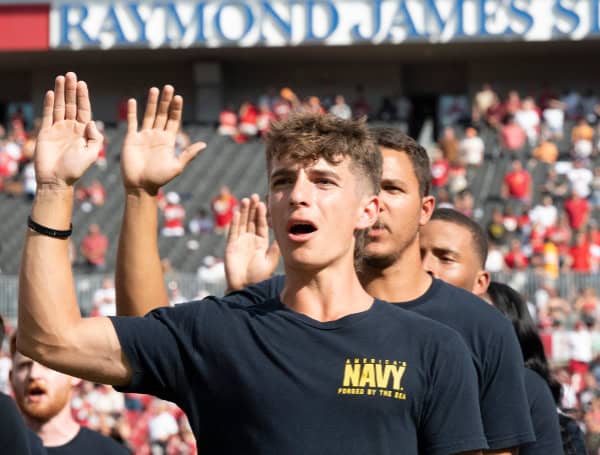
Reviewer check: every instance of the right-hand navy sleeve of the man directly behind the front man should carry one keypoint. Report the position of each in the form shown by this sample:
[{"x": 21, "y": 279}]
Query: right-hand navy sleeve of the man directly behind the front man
[{"x": 504, "y": 405}]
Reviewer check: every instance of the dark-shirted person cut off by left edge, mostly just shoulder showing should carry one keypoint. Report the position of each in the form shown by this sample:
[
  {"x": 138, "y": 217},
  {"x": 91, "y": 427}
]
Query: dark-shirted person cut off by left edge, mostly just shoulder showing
[{"x": 15, "y": 437}]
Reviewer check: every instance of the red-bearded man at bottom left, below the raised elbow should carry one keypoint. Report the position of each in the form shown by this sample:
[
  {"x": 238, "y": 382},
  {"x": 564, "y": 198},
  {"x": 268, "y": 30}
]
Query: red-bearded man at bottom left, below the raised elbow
[{"x": 44, "y": 398}]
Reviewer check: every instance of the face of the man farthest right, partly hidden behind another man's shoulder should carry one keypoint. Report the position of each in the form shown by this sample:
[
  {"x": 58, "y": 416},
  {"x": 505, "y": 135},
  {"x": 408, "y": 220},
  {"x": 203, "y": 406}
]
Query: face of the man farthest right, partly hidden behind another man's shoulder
[{"x": 448, "y": 253}]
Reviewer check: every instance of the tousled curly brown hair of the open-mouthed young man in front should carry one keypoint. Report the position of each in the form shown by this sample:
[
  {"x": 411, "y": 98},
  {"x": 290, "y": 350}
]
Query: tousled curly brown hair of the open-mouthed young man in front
[{"x": 309, "y": 137}]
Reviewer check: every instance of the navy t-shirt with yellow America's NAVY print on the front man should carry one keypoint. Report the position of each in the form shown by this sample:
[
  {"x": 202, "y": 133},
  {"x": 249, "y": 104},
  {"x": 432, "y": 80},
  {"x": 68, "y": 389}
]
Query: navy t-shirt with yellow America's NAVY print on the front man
[{"x": 262, "y": 379}]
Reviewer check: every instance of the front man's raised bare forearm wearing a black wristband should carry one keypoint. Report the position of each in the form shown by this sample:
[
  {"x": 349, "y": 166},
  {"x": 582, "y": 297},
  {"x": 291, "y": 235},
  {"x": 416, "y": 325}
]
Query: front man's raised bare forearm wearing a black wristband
[{"x": 47, "y": 302}]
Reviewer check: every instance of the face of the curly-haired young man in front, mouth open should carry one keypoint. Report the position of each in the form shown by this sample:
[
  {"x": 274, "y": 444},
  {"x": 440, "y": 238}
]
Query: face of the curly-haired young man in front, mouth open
[{"x": 315, "y": 208}]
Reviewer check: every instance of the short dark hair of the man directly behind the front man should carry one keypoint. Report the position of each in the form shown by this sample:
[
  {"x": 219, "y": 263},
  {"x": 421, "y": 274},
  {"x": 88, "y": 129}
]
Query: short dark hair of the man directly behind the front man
[{"x": 393, "y": 138}]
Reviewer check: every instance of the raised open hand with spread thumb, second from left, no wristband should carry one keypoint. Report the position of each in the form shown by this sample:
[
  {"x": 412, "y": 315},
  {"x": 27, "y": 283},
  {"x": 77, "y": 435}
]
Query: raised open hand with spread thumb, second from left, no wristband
[{"x": 149, "y": 160}]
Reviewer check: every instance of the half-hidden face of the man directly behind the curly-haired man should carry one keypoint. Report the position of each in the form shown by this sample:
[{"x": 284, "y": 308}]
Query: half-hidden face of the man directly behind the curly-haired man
[{"x": 402, "y": 211}]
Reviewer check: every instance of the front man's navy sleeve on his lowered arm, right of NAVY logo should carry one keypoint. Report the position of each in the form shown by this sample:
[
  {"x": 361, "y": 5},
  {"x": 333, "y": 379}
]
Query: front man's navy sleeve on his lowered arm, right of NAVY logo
[{"x": 451, "y": 419}]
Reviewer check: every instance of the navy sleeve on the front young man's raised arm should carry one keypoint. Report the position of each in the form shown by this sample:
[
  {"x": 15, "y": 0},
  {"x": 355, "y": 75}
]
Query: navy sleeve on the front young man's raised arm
[{"x": 161, "y": 348}]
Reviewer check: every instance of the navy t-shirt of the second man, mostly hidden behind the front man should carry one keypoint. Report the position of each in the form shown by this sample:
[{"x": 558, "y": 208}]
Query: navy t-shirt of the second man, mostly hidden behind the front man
[{"x": 491, "y": 340}]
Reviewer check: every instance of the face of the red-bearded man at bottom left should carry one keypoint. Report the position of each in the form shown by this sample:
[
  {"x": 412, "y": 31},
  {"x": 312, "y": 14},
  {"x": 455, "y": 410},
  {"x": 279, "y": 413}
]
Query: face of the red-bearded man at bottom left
[{"x": 40, "y": 393}]
